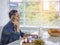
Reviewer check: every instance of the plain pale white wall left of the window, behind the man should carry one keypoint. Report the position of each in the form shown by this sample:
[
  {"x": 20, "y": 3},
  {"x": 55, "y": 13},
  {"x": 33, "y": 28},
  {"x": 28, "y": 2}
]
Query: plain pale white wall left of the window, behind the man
[{"x": 4, "y": 9}]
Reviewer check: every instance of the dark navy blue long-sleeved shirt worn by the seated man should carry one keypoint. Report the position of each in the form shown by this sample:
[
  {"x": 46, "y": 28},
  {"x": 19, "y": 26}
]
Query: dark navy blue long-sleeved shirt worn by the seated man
[{"x": 9, "y": 35}]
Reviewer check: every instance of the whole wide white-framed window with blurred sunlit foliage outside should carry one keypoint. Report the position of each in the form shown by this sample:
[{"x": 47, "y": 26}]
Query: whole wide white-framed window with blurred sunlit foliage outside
[{"x": 37, "y": 12}]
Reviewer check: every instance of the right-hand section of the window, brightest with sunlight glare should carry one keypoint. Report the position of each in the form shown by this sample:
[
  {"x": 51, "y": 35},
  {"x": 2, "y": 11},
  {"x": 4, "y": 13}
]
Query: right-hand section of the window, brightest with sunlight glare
[{"x": 50, "y": 13}]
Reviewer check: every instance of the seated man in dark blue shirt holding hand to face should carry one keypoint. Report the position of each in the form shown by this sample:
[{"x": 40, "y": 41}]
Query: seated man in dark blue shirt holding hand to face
[{"x": 11, "y": 31}]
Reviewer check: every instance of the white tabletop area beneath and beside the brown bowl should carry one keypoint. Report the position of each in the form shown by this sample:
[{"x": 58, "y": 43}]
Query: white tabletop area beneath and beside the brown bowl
[{"x": 50, "y": 40}]
